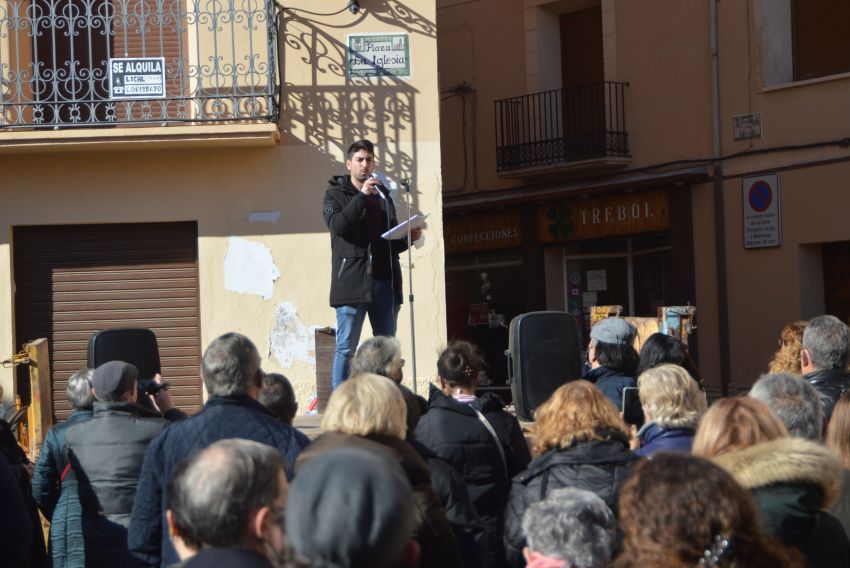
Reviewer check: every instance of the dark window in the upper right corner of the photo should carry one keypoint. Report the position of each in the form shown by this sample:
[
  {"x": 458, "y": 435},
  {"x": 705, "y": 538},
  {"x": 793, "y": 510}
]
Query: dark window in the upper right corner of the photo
[{"x": 821, "y": 42}]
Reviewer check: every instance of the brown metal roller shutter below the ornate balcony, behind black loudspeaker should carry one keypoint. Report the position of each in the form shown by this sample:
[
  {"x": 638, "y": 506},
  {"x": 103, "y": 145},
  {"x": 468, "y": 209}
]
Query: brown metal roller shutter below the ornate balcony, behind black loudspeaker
[{"x": 73, "y": 280}]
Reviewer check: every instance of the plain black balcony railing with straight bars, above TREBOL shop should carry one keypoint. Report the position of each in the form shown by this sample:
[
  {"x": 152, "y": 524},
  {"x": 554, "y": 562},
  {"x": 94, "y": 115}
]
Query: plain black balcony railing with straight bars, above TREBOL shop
[{"x": 561, "y": 126}]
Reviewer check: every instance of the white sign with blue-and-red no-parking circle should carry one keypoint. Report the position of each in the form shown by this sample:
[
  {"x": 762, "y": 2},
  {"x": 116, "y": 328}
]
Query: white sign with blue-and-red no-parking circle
[{"x": 762, "y": 212}]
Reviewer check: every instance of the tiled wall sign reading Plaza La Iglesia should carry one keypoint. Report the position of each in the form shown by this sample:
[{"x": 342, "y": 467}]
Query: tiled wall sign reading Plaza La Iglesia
[{"x": 378, "y": 55}]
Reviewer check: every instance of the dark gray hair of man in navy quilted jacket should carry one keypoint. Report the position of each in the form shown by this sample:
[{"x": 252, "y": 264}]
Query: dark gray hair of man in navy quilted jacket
[{"x": 230, "y": 365}]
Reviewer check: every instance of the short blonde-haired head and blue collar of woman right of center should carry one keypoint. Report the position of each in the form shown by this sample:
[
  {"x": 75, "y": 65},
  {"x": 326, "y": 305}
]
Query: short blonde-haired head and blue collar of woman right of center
[{"x": 672, "y": 404}]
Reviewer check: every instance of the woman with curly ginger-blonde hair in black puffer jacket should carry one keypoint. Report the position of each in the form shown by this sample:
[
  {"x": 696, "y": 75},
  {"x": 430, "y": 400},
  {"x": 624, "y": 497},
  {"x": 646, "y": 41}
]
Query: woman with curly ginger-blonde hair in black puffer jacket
[{"x": 580, "y": 441}]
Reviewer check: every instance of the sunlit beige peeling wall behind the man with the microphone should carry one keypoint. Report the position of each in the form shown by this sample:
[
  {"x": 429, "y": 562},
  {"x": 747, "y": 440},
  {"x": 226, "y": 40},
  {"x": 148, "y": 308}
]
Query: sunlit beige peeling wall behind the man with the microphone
[{"x": 322, "y": 112}]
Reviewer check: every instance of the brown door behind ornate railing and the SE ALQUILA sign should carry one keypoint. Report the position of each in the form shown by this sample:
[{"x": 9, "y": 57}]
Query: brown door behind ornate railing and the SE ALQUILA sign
[{"x": 73, "y": 42}]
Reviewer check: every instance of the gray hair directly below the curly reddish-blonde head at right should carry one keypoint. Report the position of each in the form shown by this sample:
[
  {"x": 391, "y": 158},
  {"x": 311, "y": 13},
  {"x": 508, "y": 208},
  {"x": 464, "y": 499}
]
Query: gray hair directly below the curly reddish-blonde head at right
[{"x": 794, "y": 401}]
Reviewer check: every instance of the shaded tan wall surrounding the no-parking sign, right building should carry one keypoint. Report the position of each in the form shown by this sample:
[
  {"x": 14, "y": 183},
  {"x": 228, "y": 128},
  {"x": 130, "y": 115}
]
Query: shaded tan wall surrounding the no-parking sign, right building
[{"x": 769, "y": 288}]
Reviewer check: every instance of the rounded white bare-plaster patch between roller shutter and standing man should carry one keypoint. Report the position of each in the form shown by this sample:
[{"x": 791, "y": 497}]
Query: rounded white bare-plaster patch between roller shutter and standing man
[{"x": 249, "y": 268}]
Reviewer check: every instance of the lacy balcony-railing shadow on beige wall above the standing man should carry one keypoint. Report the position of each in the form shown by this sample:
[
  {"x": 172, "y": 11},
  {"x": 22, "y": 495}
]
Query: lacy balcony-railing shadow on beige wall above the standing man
[{"x": 328, "y": 118}]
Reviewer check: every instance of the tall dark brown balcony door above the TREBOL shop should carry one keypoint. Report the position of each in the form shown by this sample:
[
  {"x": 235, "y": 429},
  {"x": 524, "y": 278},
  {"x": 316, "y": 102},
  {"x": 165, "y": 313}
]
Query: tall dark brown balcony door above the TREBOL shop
[{"x": 583, "y": 75}]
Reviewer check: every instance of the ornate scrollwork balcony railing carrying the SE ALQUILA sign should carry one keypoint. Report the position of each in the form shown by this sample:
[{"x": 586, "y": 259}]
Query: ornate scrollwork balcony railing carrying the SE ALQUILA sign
[{"x": 196, "y": 61}]
